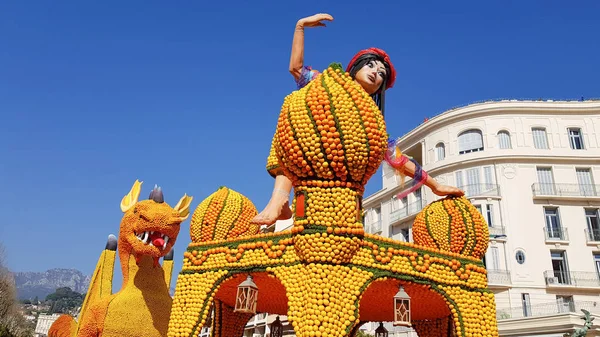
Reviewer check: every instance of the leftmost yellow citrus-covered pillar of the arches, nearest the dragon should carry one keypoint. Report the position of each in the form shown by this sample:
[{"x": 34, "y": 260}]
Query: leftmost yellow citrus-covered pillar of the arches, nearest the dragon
[{"x": 191, "y": 304}]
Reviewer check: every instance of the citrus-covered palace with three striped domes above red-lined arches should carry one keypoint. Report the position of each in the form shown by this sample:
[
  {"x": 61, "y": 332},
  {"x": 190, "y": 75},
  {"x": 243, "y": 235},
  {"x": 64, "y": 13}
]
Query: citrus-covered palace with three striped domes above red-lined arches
[{"x": 326, "y": 274}]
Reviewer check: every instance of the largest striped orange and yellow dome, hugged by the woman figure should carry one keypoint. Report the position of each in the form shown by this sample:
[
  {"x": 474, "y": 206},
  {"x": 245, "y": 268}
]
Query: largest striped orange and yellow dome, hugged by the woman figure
[{"x": 330, "y": 130}]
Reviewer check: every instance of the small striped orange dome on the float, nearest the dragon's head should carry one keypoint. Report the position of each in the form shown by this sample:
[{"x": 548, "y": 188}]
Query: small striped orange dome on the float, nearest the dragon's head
[{"x": 225, "y": 214}]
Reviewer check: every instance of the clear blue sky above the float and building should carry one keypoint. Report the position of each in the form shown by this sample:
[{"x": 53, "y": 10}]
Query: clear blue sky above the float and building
[{"x": 186, "y": 95}]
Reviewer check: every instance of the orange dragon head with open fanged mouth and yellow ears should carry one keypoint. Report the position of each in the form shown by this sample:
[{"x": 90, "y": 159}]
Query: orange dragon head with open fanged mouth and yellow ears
[{"x": 150, "y": 227}]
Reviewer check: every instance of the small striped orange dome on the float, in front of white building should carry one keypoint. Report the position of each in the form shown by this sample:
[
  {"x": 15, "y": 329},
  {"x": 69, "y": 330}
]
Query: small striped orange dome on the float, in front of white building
[{"x": 454, "y": 225}]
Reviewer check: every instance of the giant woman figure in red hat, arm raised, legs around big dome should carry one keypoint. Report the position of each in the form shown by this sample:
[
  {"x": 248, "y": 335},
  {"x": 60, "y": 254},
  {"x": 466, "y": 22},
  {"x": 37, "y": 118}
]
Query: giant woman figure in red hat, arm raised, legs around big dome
[{"x": 374, "y": 72}]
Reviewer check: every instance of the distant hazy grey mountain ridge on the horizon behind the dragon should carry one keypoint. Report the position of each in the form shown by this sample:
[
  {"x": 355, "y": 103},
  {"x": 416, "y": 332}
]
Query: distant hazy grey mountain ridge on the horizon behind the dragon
[{"x": 41, "y": 284}]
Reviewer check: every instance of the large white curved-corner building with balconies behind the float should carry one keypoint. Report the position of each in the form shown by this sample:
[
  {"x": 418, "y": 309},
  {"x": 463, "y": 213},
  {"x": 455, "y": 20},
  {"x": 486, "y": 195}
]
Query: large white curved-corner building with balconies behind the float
[{"x": 530, "y": 167}]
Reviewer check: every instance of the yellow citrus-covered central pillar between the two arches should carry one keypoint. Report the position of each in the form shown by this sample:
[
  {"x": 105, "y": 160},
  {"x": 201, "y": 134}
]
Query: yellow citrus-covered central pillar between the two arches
[{"x": 322, "y": 298}]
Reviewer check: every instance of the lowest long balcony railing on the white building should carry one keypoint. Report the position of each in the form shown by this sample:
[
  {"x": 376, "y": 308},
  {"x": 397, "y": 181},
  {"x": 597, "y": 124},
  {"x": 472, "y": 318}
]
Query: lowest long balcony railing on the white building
[{"x": 544, "y": 309}]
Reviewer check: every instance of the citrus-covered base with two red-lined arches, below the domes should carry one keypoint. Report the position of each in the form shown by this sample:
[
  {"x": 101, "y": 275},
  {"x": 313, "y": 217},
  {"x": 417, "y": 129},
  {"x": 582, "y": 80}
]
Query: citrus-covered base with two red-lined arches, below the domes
[{"x": 449, "y": 290}]
